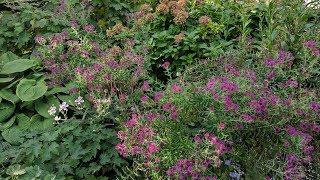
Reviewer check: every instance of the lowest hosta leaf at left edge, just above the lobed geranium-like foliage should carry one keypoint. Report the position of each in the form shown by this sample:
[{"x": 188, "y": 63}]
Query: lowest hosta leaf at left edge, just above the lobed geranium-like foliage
[{"x": 13, "y": 135}]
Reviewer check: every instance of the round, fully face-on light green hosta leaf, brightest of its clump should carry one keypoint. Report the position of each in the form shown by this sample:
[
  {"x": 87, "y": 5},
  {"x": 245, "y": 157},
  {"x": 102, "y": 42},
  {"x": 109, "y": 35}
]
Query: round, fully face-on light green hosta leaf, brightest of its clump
[{"x": 30, "y": 90}]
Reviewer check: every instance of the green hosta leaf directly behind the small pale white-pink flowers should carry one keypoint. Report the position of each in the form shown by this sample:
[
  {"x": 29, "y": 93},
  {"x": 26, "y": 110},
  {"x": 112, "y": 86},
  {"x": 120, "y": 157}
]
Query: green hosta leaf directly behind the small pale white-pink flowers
[{"x": 42, "y": 105}]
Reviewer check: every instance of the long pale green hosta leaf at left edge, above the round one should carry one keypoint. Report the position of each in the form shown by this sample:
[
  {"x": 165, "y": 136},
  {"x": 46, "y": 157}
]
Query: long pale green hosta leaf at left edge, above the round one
[{"x": 19, "y": 65}]
